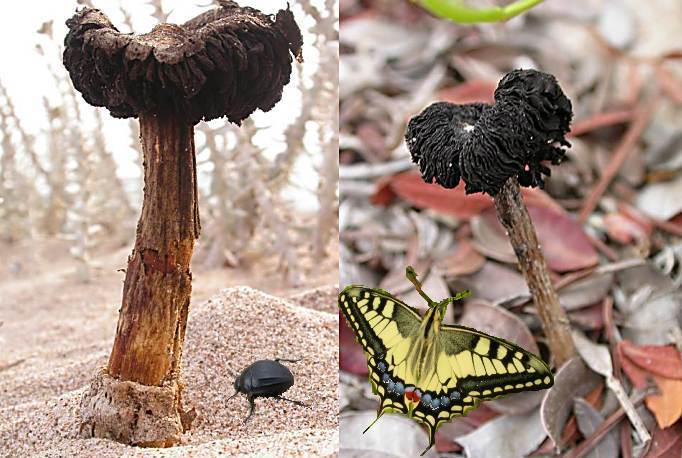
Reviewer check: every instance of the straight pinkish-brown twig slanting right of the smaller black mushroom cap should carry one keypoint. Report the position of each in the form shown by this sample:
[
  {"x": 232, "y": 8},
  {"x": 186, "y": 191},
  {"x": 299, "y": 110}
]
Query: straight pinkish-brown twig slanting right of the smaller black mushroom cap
[{"x": 641, "y": 120}]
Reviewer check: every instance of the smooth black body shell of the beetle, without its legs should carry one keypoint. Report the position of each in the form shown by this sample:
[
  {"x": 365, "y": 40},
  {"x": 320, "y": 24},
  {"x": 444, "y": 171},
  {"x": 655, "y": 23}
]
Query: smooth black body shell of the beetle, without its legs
[{"x": 264, "y": 378}]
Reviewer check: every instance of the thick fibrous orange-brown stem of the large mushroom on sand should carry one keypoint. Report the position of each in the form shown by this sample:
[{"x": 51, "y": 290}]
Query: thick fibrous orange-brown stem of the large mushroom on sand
[{"x": 156, "y": 293}]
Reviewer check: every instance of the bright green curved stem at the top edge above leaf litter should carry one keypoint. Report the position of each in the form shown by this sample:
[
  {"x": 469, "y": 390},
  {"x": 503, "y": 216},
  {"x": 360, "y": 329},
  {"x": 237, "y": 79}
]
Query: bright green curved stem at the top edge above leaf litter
[{"x": 457, "y": 11}]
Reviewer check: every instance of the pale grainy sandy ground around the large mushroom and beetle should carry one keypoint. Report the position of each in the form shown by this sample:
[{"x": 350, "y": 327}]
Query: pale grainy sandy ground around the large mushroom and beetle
[{"x": 57, "y": 331}]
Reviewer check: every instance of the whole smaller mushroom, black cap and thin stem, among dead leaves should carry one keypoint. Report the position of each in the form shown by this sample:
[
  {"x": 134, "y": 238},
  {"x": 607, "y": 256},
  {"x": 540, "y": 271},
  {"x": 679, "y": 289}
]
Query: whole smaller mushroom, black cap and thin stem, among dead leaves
[{"x": 494, "y": 149}]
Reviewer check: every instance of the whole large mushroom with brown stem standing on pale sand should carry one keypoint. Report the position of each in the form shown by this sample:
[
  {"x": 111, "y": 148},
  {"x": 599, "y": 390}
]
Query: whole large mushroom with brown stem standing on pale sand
[{"x": 226, "y": 62}]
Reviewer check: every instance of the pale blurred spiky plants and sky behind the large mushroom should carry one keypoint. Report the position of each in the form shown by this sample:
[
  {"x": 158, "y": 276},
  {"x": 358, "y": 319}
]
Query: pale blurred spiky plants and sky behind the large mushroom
[{"x": 70, "y": 175}]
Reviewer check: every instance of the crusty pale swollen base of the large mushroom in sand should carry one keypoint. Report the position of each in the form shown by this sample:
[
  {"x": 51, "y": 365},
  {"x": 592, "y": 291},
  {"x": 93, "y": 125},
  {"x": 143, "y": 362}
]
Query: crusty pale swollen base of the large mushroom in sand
[{"x": 136, "y": 414}]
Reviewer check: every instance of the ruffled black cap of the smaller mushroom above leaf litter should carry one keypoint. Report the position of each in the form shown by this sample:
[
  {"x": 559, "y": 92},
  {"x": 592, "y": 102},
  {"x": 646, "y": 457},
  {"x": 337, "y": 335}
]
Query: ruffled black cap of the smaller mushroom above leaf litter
[{"x": 485, "y": 145}]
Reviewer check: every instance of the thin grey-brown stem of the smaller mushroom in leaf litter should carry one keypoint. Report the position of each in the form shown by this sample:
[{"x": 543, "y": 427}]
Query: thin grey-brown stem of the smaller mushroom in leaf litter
[{"x": 514, "y": 216}]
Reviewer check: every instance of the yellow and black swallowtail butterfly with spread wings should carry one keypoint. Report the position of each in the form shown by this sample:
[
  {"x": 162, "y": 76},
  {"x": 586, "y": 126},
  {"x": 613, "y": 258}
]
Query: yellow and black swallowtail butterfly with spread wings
[{"x": 430, "y": 371}]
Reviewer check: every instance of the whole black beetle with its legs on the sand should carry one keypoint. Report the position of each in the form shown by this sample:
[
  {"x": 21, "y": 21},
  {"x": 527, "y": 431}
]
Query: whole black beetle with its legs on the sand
[{"x": 265, "y": 379}]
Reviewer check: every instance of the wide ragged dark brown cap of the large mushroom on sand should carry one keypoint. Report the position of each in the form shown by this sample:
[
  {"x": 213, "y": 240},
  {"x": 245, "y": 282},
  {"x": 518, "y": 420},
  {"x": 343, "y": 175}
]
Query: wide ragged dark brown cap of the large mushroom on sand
[{"x": 227, "y": 61}]
